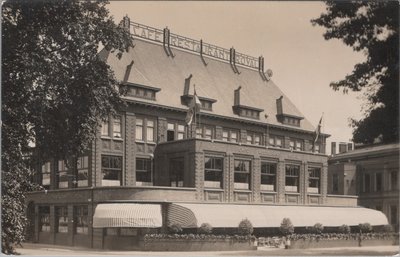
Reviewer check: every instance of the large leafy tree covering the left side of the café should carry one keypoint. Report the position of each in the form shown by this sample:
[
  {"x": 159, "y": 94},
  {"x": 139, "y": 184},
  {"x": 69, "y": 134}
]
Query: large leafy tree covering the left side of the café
[{"x": 56, "y": 90}]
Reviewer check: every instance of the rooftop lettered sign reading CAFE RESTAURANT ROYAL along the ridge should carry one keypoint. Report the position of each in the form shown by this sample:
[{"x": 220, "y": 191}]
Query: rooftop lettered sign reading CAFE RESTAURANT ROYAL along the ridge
[{"x": 157, "y": 35}]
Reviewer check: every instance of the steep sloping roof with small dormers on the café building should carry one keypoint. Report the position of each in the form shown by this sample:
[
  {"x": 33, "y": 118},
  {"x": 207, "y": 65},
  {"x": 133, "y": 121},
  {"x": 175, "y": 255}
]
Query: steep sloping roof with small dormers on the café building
[{"x": 216, "y": 80}]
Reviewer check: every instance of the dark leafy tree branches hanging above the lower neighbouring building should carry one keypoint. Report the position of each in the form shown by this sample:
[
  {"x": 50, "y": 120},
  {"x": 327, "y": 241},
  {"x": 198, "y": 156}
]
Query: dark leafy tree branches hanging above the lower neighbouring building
[{"x": 371, "y": 27}]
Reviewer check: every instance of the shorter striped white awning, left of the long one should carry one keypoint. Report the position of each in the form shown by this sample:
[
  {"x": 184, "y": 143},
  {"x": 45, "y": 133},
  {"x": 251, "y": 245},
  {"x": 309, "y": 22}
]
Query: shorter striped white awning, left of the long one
[{"x": 127, "y": 215}]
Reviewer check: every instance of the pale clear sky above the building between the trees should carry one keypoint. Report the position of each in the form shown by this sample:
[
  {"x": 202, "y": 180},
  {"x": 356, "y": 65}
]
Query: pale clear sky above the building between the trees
[{"x": 302, "y": 61}]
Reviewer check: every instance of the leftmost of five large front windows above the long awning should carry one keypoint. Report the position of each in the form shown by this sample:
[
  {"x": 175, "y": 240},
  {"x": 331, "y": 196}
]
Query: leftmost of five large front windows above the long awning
[{"x": 213, "y": 172}]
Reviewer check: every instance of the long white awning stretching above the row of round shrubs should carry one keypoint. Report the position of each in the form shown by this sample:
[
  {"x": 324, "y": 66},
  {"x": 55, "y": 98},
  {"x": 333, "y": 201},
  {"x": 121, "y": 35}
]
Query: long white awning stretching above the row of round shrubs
[{"x": 229, "y": 215}]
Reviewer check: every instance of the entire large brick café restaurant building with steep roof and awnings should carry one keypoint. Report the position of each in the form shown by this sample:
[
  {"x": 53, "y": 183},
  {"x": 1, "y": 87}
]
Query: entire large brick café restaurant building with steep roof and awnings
[{"x": 247, "y": 152}]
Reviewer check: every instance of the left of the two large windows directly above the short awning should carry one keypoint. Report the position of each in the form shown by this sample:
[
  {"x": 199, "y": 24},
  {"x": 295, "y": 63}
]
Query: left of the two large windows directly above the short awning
[{"x": 111, "y": 168}]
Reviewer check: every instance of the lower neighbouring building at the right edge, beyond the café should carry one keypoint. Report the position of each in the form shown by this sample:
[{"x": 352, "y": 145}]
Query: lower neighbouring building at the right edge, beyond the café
[{"x": 371, "y": 173}]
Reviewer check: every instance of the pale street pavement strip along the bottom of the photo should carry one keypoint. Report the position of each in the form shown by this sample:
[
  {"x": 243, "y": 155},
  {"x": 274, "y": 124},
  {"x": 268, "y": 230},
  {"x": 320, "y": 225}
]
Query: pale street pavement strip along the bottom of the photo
[{"x": 57, "y": 250}]
